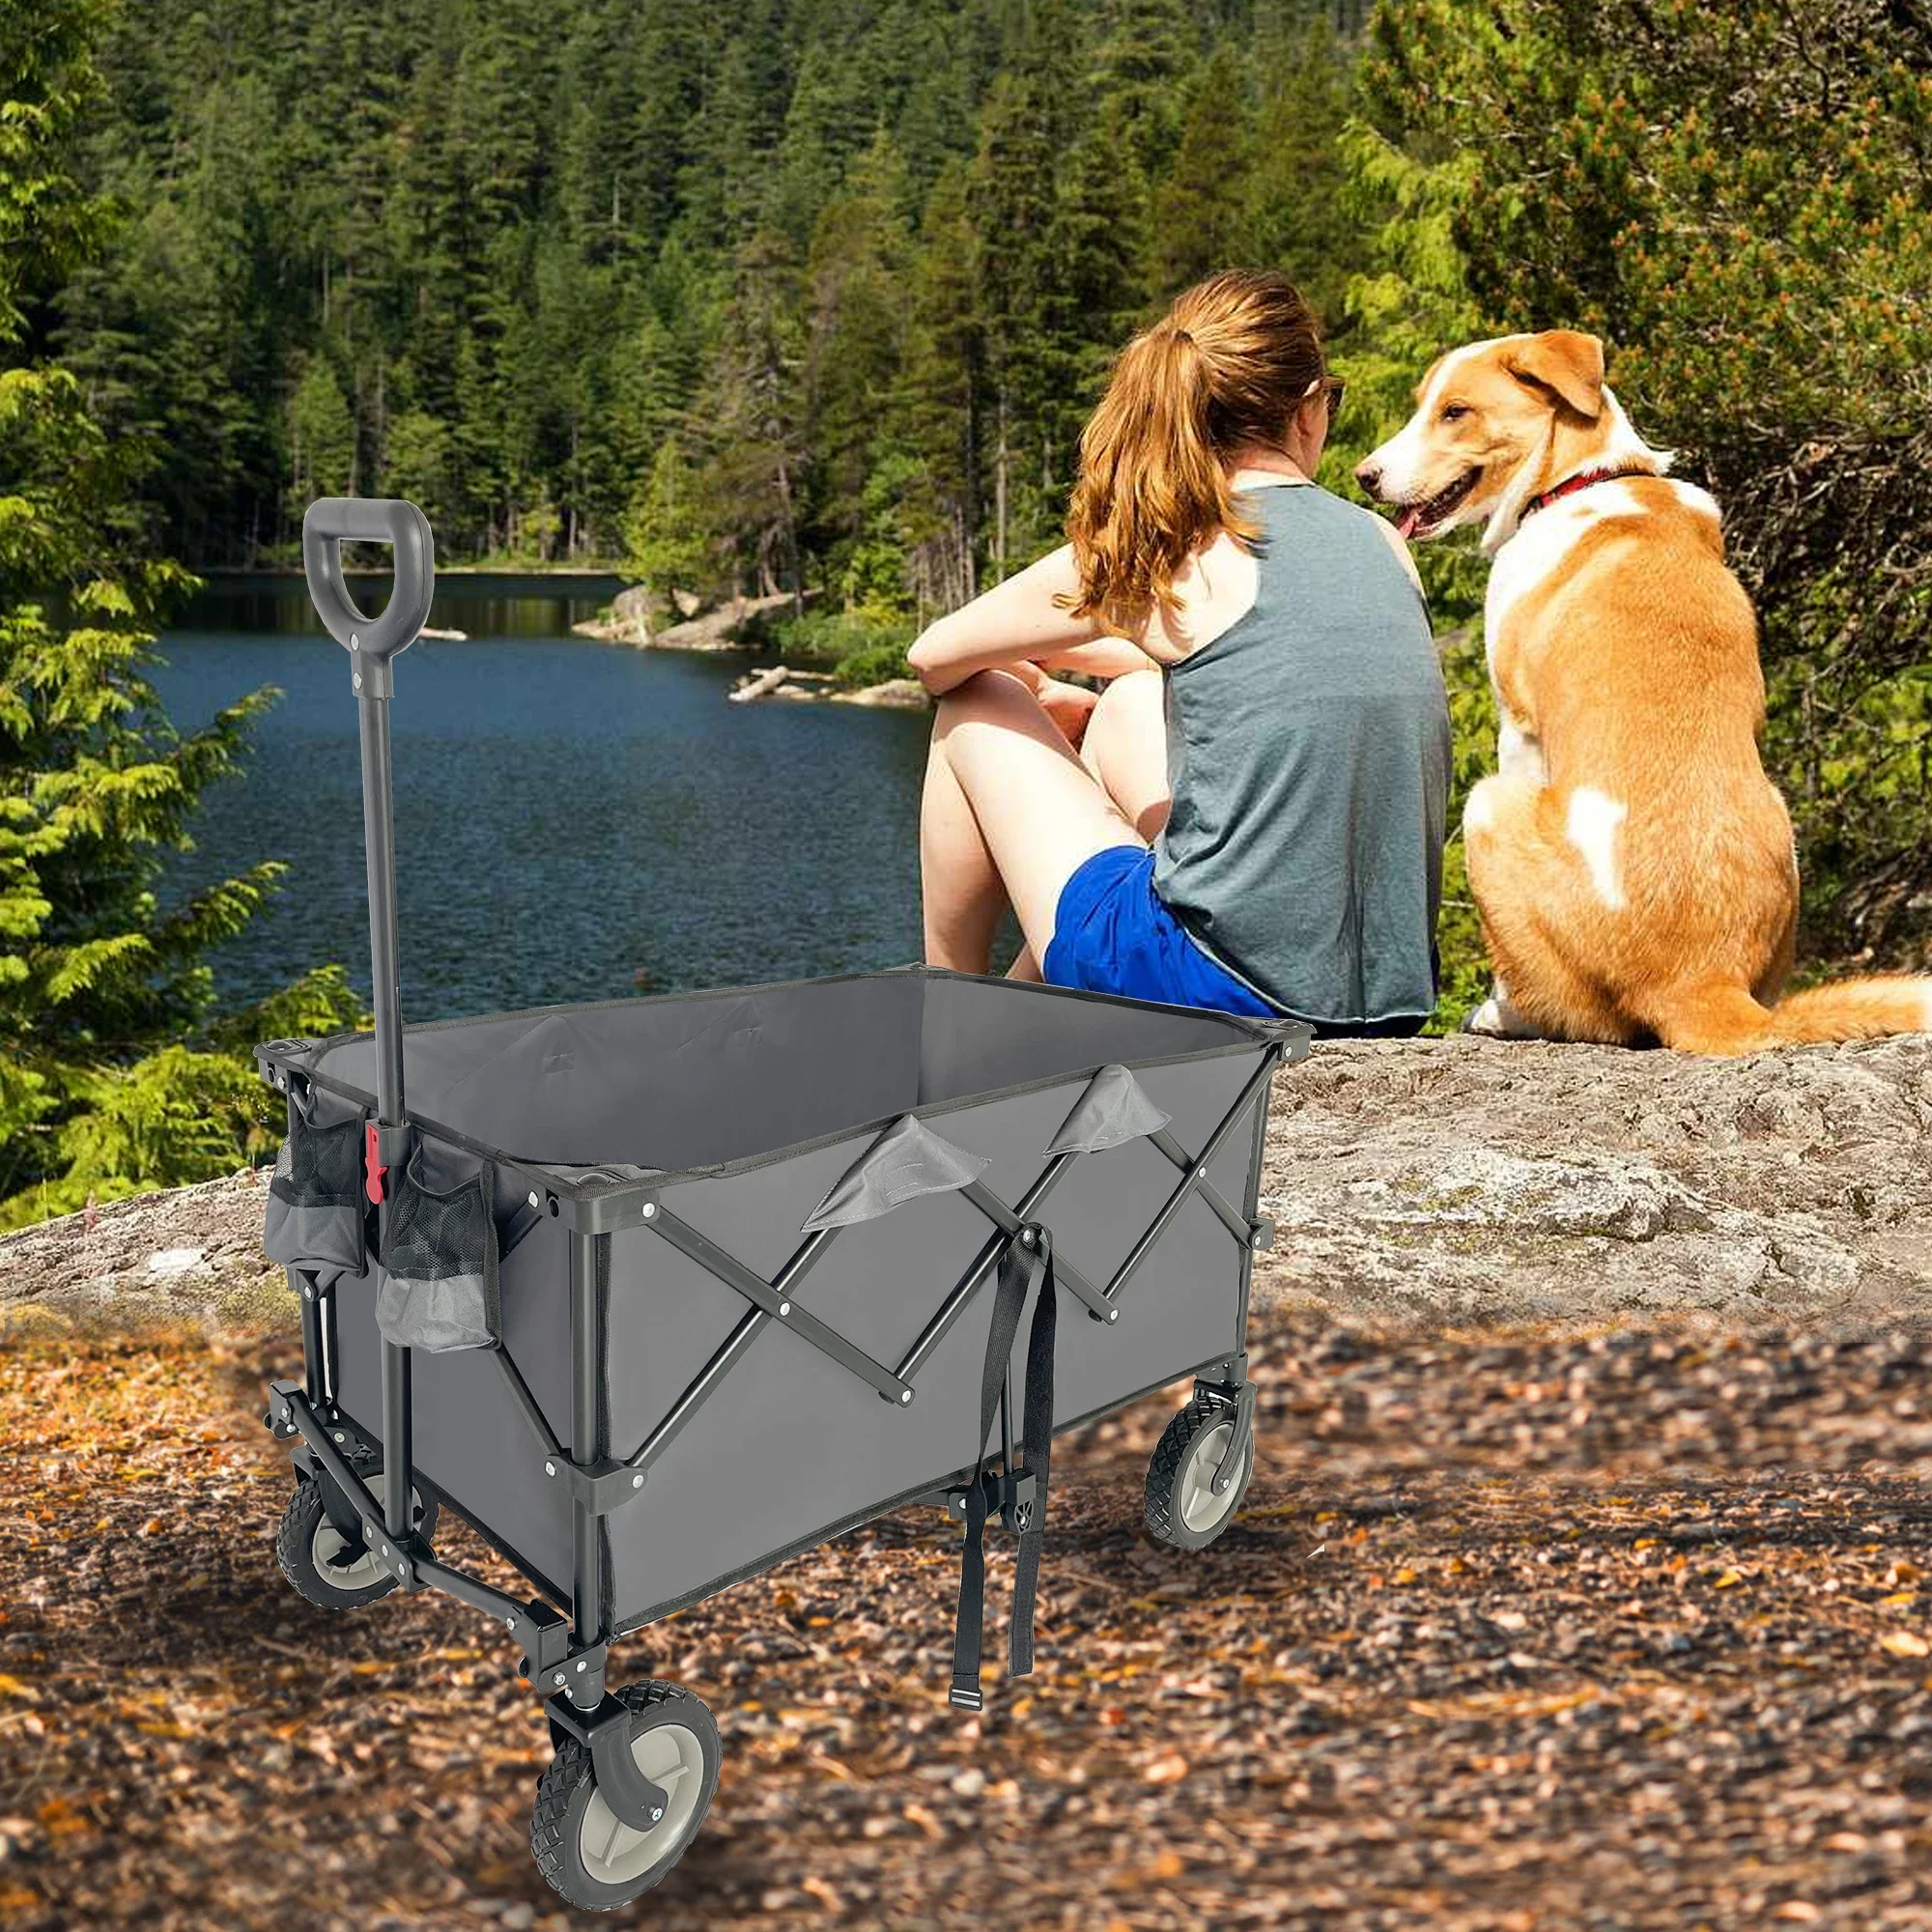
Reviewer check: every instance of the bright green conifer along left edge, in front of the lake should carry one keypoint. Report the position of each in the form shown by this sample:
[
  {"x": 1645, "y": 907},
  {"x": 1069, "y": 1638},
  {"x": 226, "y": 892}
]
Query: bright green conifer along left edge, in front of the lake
[{"x": 115, "y": 1067}]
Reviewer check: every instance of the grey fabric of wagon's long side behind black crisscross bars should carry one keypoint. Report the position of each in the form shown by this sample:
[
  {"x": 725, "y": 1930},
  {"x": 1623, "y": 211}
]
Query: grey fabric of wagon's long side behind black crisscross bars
[{"x": 791, "y": 1444}]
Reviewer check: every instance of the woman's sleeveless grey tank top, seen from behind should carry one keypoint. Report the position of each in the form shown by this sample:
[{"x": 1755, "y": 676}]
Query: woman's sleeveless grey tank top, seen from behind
[{"x": 1309, "y": 762}]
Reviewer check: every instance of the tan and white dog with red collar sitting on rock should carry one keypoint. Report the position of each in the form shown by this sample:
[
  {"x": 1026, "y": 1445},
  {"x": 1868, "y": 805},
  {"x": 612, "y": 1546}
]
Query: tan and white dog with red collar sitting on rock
[{"x": 1632, "y": 861}]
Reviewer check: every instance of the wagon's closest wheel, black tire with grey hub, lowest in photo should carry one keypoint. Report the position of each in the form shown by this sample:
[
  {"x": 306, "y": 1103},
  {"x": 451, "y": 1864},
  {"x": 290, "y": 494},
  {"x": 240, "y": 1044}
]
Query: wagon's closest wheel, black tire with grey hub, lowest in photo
[{"x": 582, "y": 1850}]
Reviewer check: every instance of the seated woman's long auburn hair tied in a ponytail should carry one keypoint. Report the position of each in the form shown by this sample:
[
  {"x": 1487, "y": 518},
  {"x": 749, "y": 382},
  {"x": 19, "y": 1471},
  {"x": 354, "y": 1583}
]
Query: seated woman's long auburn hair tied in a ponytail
[{"x": 1226, "y": 368}]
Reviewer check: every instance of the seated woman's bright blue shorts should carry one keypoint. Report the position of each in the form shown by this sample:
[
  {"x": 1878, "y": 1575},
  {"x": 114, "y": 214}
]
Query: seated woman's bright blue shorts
[{"x": 1114, "y": 934}]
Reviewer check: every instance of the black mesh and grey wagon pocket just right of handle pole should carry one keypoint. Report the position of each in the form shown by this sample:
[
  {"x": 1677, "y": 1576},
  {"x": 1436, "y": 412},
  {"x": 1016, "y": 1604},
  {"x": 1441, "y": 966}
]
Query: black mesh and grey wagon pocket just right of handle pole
[{"x": 440, "y": 1272}]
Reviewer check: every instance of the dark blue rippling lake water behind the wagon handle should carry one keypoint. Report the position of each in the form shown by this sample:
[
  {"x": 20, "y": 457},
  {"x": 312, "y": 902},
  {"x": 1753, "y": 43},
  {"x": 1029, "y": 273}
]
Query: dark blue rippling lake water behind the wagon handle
[{"x": 573, "y": 820}]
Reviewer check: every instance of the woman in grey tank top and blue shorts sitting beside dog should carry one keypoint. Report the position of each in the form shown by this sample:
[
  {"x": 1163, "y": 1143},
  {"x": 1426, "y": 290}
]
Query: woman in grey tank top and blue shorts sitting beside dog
[{"x": 1251, "y": 816}]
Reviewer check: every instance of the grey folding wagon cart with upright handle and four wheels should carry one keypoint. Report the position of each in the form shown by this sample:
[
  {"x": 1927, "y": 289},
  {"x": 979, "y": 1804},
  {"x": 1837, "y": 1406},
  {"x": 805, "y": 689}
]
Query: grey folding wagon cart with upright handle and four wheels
[{"x": 660, "y": 1292}]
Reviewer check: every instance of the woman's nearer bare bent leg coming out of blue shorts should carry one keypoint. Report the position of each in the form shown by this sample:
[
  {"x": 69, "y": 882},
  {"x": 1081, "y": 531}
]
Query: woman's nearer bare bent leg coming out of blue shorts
[{"x": 1009, "y": 814}]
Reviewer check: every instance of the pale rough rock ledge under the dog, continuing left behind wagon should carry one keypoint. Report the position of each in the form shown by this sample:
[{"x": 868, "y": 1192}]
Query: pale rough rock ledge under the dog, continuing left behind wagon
[{"x": 1435, "y": 1179}]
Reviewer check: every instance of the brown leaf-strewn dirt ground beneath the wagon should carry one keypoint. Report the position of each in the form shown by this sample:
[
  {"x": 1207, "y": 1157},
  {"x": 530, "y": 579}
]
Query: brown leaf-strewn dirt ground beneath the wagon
[{"x": 1581, "y": 1626}]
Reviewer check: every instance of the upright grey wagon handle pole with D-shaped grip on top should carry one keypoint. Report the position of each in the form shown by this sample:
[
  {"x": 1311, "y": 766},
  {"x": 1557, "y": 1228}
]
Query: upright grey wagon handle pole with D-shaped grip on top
[{"x": 372, "y": 644}]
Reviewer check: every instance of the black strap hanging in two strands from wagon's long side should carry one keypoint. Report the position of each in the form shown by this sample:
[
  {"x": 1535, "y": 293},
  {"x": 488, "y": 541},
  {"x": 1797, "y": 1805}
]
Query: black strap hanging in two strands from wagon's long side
[{"x": 1027, "y": 1263}]
